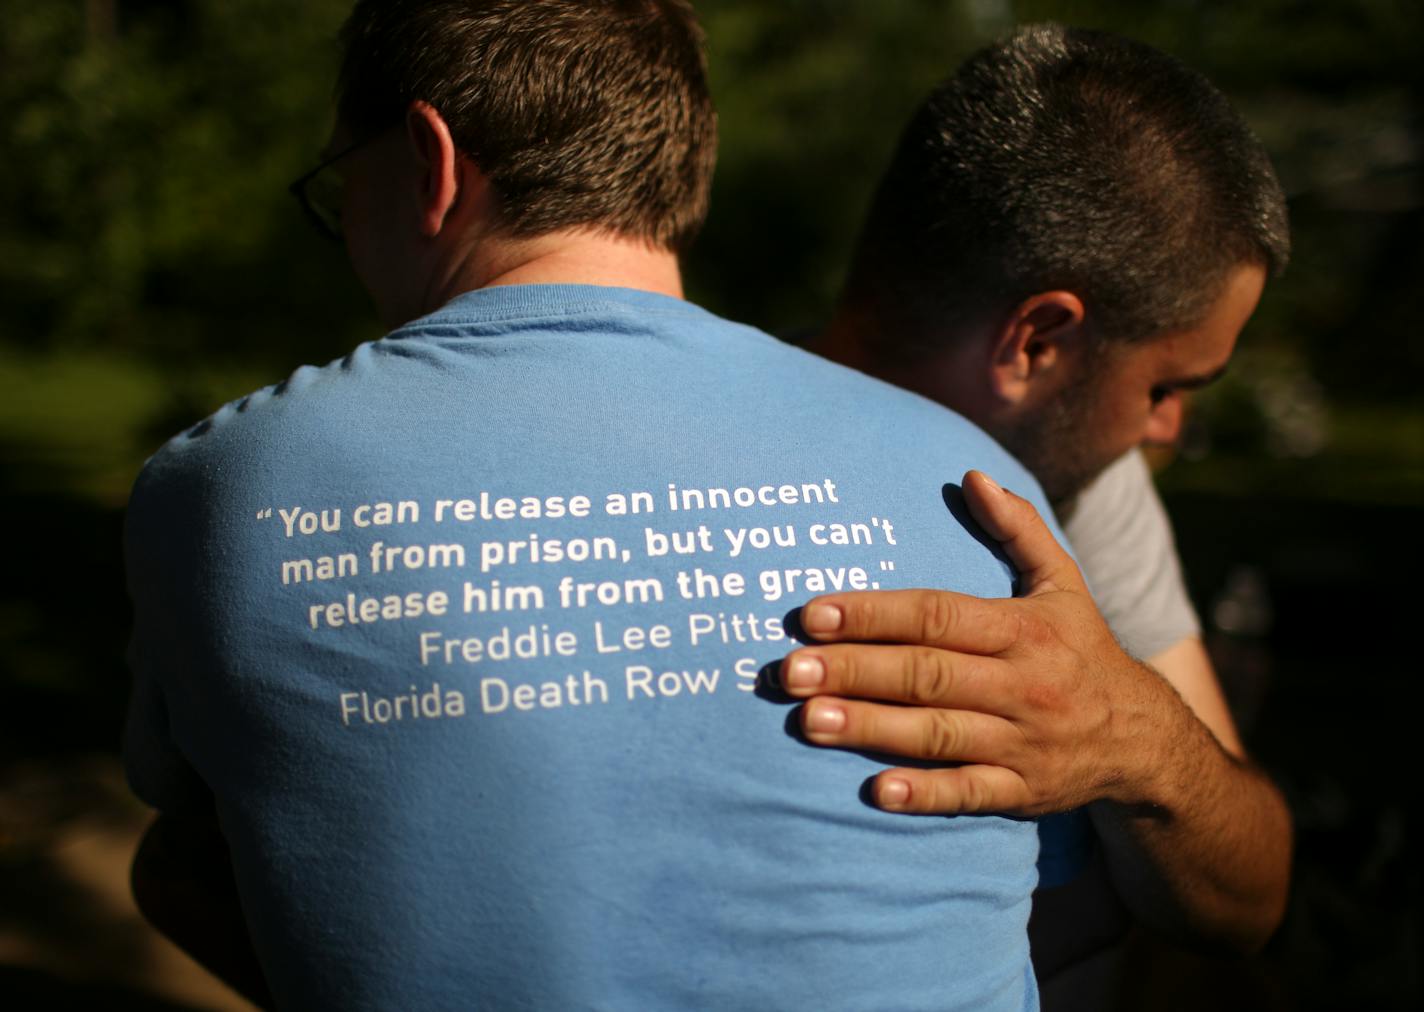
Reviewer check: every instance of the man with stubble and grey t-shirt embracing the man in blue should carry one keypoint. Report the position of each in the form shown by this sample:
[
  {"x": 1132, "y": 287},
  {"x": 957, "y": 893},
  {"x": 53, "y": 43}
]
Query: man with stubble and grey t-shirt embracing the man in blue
[{"x": 1072, "y": 236}]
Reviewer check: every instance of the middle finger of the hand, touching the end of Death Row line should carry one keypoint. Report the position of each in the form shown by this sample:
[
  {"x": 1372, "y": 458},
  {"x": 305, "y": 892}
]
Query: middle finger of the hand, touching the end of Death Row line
[{"x": 918, "y": 675}]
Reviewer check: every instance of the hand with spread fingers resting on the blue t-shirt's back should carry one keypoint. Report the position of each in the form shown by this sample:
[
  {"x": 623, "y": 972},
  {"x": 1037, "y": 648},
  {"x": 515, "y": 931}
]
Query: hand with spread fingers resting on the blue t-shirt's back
[{"x": 1030, "y": 702}]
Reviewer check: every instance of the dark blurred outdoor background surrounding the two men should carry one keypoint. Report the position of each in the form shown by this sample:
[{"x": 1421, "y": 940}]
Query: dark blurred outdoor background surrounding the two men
[{"x": 153, "y": 267}]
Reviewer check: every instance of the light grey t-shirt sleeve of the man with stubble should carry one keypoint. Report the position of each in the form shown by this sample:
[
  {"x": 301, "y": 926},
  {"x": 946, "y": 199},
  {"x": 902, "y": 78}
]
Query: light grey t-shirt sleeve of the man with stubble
[{"x": 1124, "y": 543}]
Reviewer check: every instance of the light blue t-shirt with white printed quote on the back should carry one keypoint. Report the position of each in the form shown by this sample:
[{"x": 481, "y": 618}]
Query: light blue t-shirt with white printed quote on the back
[{"x": 462, "y": 636}]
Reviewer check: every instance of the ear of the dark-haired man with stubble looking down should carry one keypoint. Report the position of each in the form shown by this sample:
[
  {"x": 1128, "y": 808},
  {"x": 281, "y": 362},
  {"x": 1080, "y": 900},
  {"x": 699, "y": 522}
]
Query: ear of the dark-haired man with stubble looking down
[{"x": 1032, "y": 344}]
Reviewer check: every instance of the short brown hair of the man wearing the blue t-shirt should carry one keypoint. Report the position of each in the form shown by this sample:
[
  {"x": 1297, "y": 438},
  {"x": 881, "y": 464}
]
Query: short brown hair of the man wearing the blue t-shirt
[{"x": 583, "y": 116}]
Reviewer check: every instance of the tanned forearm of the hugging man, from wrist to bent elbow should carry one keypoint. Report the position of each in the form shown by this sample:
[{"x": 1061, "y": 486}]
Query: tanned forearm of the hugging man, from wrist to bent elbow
[{"x": 1200, "y": 842}]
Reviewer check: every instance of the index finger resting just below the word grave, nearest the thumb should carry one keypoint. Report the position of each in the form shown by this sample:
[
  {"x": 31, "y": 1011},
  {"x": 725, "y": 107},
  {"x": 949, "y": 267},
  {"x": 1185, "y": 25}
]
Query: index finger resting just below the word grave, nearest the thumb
[{"x": 923, "y": 618}]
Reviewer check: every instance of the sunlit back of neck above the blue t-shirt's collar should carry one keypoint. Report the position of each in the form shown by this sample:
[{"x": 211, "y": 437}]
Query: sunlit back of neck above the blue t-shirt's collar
[{"x": 560, "y": 258}]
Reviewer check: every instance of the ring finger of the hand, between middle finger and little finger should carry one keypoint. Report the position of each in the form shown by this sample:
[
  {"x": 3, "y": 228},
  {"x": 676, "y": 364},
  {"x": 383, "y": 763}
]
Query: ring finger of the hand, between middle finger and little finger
[{"x": 929, "y": 734}]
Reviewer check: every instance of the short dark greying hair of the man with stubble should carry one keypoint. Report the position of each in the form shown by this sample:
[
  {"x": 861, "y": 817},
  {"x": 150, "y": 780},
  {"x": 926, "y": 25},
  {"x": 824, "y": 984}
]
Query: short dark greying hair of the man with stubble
[{"x": 1073, "y": 160}]
